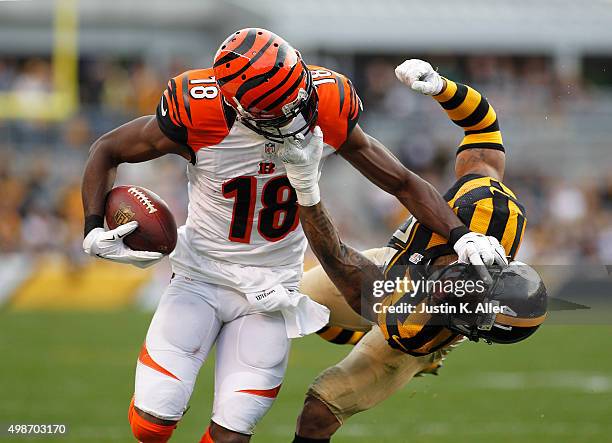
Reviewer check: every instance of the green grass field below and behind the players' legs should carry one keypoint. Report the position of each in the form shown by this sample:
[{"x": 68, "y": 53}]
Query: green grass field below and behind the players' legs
[{"x": 77, "y": 368}]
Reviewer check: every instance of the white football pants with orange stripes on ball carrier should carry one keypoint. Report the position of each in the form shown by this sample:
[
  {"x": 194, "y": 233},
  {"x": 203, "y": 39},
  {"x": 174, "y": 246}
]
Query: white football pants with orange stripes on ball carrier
[{"x": 251, "y": 354}]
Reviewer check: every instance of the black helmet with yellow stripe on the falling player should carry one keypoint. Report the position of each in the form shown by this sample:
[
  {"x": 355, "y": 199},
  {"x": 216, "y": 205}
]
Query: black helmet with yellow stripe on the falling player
[{"x": 509, "y": 309}]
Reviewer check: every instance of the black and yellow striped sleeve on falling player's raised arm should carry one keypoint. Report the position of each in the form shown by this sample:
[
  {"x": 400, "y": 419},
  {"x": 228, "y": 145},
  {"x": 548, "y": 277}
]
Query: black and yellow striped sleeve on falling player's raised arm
[{"x": 470, "y": 110}]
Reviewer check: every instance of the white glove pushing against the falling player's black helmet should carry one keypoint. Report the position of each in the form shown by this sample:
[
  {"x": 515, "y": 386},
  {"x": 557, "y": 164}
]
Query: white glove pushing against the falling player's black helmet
[{"x": 480, "y": 250}]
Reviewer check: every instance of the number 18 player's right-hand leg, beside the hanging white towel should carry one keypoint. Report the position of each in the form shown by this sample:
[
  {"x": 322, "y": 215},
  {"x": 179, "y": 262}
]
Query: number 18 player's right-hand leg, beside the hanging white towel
[{"x": 251, "y": 359}]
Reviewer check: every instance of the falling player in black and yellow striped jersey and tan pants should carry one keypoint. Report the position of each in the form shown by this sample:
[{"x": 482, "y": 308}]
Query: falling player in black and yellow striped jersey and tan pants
[{"x": 393, "y": 343}]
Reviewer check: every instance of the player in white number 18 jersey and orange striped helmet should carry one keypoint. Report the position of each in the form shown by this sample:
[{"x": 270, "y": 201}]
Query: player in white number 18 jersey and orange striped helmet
[{"x": 239, "y": 256}]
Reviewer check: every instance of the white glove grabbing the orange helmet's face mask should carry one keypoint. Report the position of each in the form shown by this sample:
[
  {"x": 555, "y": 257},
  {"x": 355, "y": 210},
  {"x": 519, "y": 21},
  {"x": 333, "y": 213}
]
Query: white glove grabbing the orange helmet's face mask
[{"x": 302, "y": 165}]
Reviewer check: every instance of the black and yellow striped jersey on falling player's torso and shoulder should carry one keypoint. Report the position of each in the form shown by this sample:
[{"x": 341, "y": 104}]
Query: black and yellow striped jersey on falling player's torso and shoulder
[{"x": 485, "y": 205}]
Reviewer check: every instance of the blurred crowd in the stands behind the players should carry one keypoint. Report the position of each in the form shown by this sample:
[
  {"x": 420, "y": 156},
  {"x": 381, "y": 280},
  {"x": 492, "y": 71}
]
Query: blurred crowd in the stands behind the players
[{"x": 569, "y": 219}]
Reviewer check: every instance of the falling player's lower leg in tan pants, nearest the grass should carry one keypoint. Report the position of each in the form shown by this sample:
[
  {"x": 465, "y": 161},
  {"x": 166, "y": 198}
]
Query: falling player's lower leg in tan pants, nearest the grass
[{"x": 368, "y": 375}]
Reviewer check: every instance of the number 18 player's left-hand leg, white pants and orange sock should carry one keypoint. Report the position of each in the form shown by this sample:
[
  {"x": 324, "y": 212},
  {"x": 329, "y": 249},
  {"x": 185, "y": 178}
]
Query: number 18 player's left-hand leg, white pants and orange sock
[{"x": 181, "y": 334}]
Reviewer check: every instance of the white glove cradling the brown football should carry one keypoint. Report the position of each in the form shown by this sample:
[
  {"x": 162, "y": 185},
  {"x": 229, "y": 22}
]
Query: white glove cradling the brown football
[{"x": 109, "y": 245}]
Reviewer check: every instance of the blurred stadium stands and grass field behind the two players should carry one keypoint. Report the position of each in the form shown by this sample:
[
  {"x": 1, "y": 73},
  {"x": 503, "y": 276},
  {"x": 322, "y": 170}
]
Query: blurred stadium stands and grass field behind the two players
[{"x": 70, "y": 327}]
